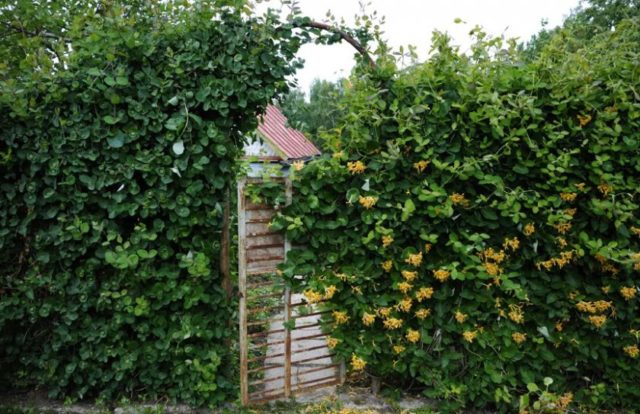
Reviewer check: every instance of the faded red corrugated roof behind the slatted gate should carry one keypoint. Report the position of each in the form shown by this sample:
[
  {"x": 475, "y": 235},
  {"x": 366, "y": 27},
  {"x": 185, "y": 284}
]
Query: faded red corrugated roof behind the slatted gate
[{"x": 288, "y": 141}]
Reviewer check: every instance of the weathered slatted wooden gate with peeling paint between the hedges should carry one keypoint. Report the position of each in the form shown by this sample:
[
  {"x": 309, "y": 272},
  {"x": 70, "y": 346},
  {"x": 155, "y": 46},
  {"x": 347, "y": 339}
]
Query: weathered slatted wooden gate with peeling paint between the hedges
[{"x": 282, "y": 348}]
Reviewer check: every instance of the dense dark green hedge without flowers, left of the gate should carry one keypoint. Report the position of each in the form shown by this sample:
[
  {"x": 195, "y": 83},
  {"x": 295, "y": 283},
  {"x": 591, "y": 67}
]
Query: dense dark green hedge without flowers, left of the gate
[{"x": 114, "y": 161}]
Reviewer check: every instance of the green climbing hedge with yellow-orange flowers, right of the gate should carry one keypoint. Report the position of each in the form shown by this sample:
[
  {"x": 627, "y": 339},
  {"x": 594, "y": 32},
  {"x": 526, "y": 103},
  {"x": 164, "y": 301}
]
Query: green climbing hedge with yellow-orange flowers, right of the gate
[{"x": 477, "y": 229}]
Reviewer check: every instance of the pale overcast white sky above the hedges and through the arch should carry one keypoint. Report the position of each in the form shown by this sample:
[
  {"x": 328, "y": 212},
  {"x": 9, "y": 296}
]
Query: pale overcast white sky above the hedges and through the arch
[{"x": 411, "y": 22}]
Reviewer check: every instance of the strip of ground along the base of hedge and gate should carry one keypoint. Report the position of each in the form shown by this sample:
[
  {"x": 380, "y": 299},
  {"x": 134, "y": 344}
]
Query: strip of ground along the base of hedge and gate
[{"x": 345, "y": 400}]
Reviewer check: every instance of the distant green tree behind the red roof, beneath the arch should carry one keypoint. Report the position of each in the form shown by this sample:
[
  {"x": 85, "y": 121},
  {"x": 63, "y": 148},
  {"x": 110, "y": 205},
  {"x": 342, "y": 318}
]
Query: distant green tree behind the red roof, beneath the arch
[{"x": 319, "y": 114}]
